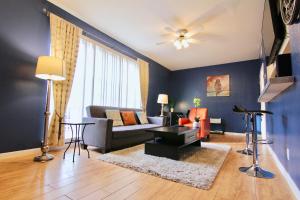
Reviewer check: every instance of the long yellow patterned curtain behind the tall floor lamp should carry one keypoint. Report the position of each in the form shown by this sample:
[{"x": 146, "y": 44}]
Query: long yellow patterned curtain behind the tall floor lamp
[{"x": 64, "y": 45}]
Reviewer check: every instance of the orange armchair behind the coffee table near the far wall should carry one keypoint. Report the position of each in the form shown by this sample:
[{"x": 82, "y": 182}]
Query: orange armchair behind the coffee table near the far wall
[{"x": 204, "y": 121}]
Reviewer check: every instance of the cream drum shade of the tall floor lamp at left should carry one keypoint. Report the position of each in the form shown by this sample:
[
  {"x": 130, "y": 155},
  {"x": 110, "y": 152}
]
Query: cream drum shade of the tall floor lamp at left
[{"x": 50, "y": 68}]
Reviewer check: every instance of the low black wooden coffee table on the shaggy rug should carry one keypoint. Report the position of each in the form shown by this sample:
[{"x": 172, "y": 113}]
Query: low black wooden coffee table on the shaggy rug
[{"x": 169, "y": 142}]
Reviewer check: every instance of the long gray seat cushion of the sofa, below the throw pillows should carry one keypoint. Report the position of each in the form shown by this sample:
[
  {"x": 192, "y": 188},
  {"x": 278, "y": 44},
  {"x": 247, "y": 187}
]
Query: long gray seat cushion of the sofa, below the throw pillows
[{"x": 131, "y": 131}]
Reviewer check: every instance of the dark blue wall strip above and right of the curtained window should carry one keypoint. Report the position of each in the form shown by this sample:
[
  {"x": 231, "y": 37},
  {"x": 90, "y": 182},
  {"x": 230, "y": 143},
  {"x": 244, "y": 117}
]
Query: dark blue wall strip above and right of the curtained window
[{"x": 158, "y": 74}]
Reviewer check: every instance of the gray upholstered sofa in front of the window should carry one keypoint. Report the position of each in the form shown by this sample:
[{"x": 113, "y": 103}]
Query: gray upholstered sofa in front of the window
[{"x": 108, "y": 138}]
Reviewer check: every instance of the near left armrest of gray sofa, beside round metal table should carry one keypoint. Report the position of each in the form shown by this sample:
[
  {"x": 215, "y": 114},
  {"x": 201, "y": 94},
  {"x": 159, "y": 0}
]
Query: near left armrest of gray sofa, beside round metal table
[{"x": 100, "y": 134}]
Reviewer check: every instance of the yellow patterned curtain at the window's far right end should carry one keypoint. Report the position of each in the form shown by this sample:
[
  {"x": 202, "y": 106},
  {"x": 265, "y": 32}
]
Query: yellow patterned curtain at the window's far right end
[{"x": 144, "y": 82}]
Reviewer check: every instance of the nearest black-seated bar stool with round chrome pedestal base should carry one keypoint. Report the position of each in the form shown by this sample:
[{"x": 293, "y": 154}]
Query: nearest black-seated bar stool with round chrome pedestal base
[{"x": 254, "y": 170}]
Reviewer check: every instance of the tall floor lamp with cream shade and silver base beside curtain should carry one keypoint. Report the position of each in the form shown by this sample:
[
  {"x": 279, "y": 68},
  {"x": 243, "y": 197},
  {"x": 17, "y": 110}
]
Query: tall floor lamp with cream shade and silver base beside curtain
[{"x": 51, "y": 69}]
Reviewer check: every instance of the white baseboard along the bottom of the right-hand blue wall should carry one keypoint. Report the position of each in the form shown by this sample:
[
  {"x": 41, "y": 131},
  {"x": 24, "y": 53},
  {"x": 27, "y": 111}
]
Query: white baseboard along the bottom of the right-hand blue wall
[{"x": 285, "y": 174}]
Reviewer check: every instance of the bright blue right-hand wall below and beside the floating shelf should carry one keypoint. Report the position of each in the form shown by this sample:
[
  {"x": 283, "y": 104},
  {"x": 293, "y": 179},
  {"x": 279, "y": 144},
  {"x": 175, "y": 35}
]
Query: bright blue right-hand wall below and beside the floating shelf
[{"x": 284, "y": 126}]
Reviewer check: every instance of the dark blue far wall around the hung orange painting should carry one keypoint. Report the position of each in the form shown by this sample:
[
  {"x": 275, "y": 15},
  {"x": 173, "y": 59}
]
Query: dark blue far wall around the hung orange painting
[{"x": 244, "y": 86}]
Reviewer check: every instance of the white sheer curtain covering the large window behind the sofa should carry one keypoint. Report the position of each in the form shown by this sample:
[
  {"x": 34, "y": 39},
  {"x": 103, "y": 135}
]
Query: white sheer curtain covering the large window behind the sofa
[{"x": 103, "y": 77}]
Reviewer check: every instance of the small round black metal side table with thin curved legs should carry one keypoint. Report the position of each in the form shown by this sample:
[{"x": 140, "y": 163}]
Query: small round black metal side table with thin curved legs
[{"x": 76, "y": 139}]
